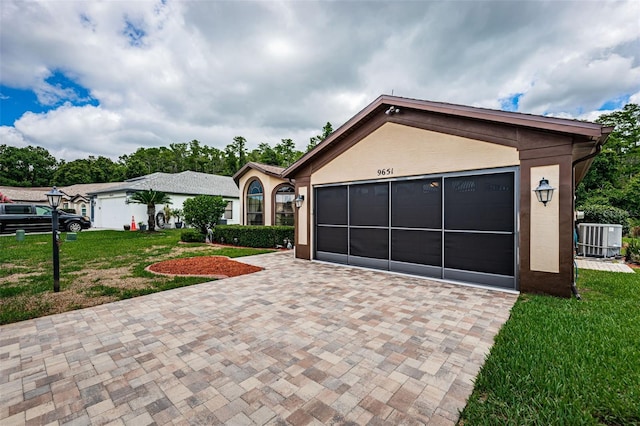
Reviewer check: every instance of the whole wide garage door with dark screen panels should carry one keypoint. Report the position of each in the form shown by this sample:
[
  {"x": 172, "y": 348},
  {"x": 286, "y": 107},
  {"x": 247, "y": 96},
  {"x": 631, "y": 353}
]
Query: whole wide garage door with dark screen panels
[{"x": 459, "y": 227}]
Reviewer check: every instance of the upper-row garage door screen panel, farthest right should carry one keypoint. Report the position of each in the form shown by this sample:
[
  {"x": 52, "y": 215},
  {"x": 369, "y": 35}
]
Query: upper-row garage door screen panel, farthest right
[{"x": 480, "y": 202}]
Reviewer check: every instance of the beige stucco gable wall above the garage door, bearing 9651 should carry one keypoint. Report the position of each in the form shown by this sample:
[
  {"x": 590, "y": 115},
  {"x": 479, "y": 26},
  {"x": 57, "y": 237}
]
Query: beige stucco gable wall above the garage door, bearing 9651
[{"x": 398, "y": 150}]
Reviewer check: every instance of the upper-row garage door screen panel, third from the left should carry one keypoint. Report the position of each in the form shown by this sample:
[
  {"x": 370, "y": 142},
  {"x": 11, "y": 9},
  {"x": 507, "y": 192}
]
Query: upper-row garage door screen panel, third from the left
[{"x": 416, "y": 203}]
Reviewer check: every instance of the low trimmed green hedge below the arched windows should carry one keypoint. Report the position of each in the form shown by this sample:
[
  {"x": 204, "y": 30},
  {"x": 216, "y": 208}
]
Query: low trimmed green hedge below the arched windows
[{"x": 253, "y": 236}]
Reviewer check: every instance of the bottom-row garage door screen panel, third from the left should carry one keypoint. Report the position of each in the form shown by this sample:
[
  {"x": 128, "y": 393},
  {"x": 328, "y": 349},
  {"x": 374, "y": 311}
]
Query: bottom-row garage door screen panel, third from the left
[{"x": 421, "y": 247}]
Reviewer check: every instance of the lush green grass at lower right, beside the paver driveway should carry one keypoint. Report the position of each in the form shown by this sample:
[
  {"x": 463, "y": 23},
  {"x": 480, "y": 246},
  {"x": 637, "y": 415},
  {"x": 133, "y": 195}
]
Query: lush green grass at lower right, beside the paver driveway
[{"x": 565, "y": 362}]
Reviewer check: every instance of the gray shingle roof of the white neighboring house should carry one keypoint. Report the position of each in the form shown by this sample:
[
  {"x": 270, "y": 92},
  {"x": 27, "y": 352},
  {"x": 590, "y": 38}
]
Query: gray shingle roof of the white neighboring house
[{"x": 188, "y": 183}]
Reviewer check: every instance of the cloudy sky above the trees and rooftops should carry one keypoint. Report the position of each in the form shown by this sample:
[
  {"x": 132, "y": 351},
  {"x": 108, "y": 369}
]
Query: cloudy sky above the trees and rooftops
[{"x": 84, "y": 78}]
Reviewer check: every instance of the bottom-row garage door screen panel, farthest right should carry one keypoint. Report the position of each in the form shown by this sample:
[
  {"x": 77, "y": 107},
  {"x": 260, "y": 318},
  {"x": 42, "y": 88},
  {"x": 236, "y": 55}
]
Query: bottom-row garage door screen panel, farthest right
[{"x": 489, "y": 253}]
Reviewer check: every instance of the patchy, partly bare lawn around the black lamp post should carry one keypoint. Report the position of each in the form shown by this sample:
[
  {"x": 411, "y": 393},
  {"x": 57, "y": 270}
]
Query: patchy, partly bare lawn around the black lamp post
[{"x": 100, "y": 267}]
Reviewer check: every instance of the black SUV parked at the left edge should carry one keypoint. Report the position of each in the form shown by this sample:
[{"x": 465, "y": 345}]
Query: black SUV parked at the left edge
[{"x": 34, "y": 217}]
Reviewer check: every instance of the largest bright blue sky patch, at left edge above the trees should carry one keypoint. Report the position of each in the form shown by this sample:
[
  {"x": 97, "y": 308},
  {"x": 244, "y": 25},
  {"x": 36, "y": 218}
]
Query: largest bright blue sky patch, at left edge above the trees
[{"x": 57, "y": 90}]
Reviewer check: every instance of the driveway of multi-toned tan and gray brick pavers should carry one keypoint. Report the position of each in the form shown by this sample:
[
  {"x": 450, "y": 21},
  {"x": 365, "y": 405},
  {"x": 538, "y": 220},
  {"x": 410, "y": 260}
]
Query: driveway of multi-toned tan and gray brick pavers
[{"x": 298, "y": 343}]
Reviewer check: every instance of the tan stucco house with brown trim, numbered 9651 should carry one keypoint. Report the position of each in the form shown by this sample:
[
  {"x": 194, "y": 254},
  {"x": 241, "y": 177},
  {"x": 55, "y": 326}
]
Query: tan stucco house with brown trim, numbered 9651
[{"x": 445, "y": 191}]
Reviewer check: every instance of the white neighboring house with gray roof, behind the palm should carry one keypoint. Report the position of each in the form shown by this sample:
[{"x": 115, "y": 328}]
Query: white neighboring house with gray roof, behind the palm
[{"x": 111, "y": 207}]
